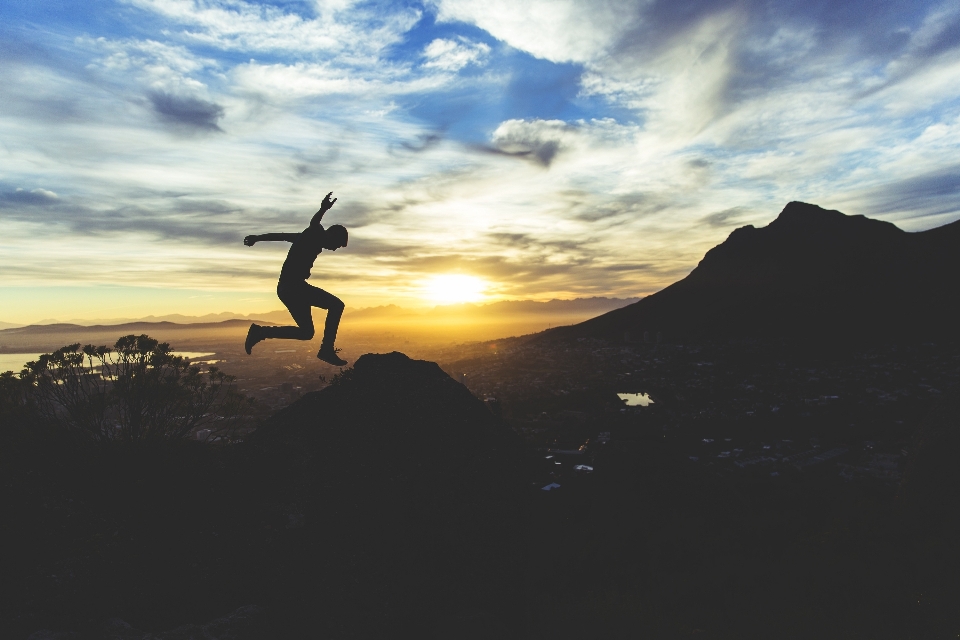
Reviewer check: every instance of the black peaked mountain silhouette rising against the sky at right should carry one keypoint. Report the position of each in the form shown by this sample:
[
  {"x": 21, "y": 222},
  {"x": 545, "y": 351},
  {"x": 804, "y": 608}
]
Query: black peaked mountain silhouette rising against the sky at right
[{"x": 810, "y": 274}]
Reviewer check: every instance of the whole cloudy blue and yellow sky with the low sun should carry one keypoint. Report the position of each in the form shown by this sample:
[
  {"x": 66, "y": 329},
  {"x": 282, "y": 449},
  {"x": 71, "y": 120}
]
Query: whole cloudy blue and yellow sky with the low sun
[{"x": 483, "y": 150}]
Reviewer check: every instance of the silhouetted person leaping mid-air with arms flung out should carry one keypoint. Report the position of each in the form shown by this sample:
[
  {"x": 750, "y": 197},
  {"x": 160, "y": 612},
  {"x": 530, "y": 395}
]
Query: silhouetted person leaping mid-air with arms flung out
[{"x": 296, "y": 294}]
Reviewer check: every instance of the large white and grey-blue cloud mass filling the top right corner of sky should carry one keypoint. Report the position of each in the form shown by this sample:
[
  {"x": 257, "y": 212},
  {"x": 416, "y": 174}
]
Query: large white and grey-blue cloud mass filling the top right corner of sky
[{"x": 684, "y": 68}]
